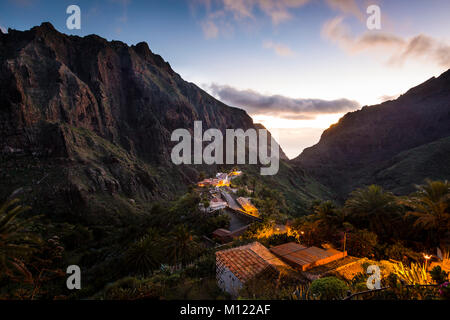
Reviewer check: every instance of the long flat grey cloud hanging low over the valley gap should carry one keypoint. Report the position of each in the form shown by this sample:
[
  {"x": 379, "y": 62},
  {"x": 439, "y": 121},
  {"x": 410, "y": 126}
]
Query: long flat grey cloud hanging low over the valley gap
[{"x": 276, "y": 105}]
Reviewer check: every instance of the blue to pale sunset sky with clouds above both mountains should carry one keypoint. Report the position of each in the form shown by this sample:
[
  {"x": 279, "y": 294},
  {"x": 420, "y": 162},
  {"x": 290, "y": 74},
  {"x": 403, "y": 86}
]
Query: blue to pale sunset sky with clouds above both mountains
[{"x": 296, "y": 66}]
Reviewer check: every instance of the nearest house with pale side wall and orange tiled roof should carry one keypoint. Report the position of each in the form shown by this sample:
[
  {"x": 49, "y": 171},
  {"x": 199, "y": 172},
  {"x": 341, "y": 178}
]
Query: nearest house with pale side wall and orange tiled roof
[{"x": 236, "y": 266}]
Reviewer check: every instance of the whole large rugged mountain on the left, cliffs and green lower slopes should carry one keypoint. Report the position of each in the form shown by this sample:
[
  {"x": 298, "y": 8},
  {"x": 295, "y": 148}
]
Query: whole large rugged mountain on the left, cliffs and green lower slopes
[{"x": 85, "y": 125}]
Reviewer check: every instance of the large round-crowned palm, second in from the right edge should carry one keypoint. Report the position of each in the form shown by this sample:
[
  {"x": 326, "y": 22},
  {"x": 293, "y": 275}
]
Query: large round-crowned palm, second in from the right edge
[{"x": 373, "y": 207}]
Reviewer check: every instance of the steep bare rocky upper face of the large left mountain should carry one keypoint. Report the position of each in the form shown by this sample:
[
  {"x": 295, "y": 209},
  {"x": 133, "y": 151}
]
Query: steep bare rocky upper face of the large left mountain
[{"x": 127, "y": 95}]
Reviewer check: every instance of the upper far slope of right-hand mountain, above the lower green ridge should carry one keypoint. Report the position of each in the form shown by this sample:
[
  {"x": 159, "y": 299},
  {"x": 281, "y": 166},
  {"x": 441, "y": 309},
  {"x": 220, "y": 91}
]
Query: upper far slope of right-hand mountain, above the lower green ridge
[{"x": 350, "y": 152}]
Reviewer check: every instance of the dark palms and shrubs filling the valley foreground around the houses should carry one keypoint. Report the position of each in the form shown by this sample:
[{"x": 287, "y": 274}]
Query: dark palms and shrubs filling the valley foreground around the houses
[{"x": 162, "y": 253}]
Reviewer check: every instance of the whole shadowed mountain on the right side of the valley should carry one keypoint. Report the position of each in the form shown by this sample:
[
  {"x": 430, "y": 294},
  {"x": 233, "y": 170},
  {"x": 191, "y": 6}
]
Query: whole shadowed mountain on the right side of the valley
[{"x": 395, "y": 144}]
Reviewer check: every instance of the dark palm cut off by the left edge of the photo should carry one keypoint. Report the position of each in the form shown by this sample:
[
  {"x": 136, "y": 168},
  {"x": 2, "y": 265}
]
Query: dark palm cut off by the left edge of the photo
[{"x": 16, "y": 241}]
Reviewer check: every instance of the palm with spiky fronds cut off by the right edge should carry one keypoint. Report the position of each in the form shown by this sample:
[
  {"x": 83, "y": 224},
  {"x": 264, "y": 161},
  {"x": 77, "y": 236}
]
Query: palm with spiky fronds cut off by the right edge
[{"x": 431, "y": 205}]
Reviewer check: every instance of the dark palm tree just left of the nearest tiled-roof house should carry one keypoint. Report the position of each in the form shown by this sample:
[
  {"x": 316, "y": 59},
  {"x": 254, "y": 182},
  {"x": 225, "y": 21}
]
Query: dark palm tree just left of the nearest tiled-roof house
[{"x": 183, "y": 245}]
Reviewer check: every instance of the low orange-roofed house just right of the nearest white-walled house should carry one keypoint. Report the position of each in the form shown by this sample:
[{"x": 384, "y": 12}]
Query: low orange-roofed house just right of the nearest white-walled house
[{"x": 302, "y": 258}]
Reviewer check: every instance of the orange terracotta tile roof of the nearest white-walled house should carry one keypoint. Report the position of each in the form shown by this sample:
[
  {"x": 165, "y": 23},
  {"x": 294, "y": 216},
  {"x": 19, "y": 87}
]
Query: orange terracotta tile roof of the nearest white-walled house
[{"x": 247, "y": 261}]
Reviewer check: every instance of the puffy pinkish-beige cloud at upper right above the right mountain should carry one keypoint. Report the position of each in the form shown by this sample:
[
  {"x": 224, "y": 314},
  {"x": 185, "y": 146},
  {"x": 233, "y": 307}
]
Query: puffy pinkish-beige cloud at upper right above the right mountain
[{"x": 399, "y": 50}]
